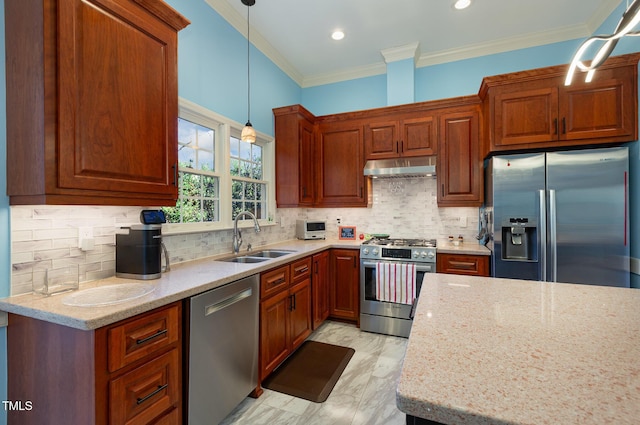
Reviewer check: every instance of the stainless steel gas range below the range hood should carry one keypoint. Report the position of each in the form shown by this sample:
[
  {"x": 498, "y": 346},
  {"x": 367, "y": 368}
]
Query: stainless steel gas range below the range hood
[{"x": 387, "y": 317}]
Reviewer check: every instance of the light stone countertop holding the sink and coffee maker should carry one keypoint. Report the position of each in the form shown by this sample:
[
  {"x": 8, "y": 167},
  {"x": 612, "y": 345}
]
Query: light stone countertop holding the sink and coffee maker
[{"x": 183, "y": 281}]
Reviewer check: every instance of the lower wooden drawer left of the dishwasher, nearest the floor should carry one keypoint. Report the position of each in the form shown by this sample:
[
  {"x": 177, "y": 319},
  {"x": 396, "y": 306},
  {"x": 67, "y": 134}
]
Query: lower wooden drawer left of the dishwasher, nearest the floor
[{"x": 143, "y": 394}]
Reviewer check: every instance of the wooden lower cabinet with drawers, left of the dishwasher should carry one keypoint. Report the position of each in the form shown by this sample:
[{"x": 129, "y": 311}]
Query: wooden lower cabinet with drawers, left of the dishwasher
[{"x": 74, "y": 376}]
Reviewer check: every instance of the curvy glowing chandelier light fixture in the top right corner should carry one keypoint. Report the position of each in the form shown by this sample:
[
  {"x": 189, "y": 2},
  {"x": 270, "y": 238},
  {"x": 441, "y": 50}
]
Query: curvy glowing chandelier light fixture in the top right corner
[{"x": 629, "y": 20}]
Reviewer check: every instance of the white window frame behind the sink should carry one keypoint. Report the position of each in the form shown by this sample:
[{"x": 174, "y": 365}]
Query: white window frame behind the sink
[{"x": 224, "y": 128}]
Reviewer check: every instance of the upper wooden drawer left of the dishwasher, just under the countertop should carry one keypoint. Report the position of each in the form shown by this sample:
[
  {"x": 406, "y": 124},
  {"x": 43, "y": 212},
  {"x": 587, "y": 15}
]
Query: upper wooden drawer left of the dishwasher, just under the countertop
[{"x": 133, "y": 340}]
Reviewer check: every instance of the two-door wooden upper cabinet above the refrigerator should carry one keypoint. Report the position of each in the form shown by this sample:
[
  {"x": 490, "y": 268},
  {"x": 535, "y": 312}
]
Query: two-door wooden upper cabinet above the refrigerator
[{"x": 534, "y": 108}]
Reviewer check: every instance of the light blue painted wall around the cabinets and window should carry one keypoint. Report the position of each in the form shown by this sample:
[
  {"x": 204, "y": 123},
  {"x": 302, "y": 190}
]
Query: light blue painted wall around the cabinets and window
[{"x": 212, "y": 73}]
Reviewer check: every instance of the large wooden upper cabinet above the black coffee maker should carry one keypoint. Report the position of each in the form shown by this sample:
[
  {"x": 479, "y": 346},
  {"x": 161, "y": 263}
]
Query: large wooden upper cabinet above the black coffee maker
[{"x": 92, "y": 111}]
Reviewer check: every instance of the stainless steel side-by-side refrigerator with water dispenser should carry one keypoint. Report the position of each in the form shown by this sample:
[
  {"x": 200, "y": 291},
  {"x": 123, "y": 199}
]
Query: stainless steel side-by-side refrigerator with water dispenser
[{"x": 559, "y": 216}]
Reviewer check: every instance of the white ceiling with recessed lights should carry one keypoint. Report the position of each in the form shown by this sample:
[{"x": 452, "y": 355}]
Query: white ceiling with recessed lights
[{"x": 295, "y": 34}]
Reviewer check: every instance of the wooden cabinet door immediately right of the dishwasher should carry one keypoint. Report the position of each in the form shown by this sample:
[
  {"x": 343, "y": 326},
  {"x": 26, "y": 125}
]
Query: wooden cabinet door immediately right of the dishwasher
[{"x": 274, "y": 332}]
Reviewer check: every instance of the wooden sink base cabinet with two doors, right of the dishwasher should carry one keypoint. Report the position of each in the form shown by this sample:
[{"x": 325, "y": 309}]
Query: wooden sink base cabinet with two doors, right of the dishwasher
[{"x": 285, "y": 312}]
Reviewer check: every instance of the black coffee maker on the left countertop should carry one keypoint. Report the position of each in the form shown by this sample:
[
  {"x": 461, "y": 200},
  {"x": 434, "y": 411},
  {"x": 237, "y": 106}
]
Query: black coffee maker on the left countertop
[{"x": 139, "y": 251}]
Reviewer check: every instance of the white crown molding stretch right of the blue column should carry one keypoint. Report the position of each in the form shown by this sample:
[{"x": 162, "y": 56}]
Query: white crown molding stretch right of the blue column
[{"x": 503, "y": 45}]
